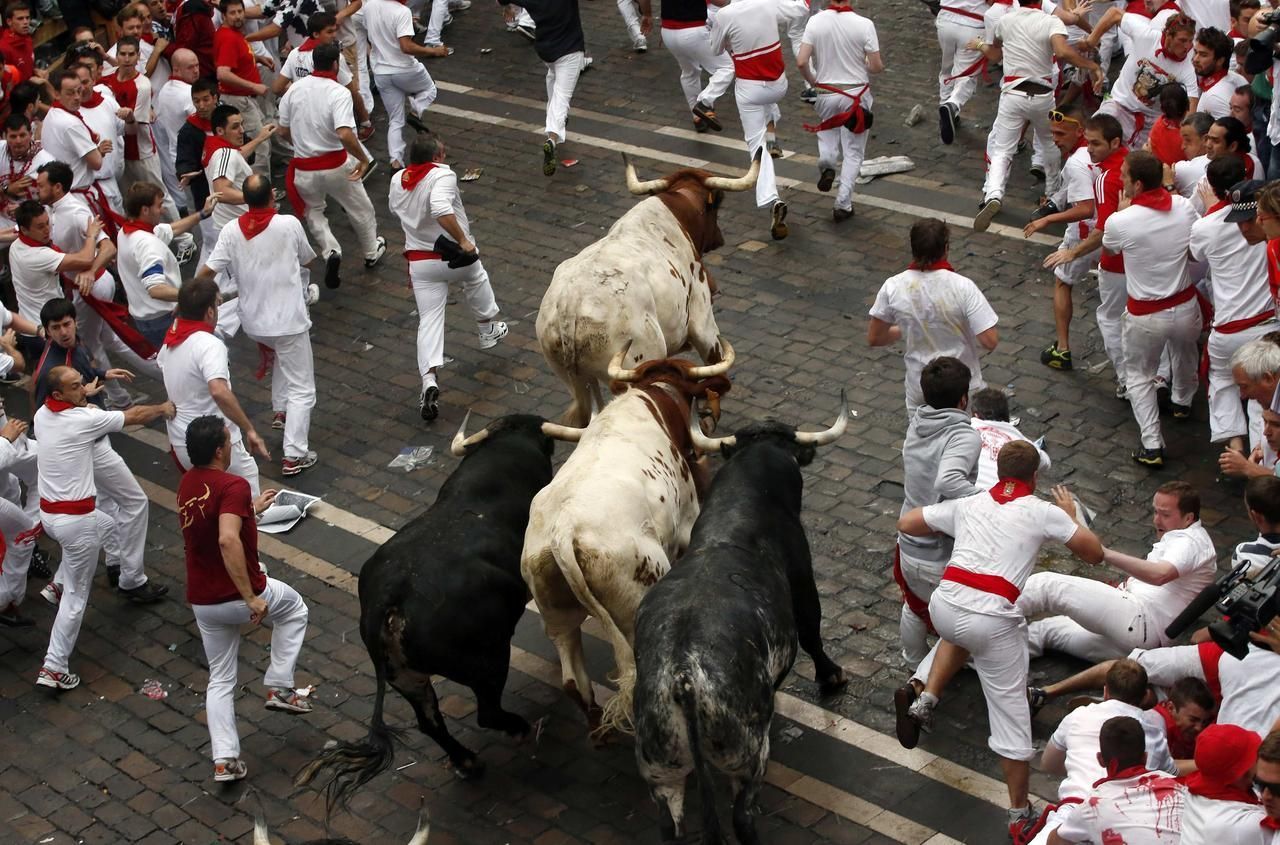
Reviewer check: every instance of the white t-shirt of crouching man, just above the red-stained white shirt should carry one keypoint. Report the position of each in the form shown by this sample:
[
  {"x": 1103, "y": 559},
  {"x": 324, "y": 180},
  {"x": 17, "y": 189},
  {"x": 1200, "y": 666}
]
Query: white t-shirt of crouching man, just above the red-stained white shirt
[{"x": 1078, "y": 736}]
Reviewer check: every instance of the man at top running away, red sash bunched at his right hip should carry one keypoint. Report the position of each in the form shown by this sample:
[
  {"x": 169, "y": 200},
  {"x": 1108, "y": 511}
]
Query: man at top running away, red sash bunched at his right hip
[{"x": 838, "y": 56}]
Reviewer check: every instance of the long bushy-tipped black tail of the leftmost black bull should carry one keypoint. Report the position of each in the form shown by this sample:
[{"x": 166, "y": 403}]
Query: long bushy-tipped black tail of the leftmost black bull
[{"x": 356, "y": 764}]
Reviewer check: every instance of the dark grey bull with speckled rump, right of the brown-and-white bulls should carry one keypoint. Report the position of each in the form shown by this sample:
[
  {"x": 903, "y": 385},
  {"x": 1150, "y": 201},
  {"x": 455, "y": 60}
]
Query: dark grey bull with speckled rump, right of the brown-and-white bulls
[{"x": 717, "y": 636}]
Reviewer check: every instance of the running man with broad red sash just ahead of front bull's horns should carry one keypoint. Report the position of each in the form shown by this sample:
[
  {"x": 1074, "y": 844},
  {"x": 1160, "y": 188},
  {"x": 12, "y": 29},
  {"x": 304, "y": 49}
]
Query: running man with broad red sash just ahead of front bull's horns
[{"x": 748, "y": 31}]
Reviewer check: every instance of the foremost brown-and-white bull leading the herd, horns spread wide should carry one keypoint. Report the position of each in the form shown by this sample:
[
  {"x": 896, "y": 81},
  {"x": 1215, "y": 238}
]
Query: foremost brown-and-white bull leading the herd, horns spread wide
[{"x": 643, "y": 282}]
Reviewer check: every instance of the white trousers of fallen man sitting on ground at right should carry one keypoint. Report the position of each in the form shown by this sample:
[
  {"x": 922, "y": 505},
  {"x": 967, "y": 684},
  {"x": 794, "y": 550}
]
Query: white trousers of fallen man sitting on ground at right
[{"x": 1094, "y": 622}]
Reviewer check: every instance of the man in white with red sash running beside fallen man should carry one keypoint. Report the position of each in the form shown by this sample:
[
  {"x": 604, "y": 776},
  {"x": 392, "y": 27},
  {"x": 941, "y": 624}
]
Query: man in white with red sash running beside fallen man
[{"x": 998, "y": 536}]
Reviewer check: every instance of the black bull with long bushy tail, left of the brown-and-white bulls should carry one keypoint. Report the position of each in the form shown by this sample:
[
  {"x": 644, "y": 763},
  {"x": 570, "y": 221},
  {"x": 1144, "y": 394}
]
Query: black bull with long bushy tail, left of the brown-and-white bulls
[{"x": 445, "y": 595}]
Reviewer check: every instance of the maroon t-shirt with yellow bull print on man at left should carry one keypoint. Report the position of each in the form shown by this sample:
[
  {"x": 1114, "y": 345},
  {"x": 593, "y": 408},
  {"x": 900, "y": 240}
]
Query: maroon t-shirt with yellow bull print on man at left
[{"x": 204, "y": 496}]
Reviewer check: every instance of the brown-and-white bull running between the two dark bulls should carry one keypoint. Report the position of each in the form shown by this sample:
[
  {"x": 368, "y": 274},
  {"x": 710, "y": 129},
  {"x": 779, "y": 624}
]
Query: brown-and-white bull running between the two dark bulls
[{"x": 616, "y": 517}]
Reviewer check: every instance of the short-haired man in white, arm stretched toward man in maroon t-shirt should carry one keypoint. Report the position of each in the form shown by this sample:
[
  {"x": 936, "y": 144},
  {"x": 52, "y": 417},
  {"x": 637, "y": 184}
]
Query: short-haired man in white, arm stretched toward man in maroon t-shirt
[{"x": 71, "y": 435}]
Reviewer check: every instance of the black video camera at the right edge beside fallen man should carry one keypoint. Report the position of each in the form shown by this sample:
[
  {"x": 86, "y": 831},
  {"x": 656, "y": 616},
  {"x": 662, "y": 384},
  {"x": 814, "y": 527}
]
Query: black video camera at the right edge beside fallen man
[{"x": 1247, "y": 605}]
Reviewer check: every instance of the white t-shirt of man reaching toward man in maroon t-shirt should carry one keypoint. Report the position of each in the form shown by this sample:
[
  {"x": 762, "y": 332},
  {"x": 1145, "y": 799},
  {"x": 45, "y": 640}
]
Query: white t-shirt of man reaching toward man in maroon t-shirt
[{"x": 65, "y": 451}]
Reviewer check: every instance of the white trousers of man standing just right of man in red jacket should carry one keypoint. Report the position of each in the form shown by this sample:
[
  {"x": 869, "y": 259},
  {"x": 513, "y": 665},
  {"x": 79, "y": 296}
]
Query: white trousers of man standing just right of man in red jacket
[{"x": 1146, "y": 339}]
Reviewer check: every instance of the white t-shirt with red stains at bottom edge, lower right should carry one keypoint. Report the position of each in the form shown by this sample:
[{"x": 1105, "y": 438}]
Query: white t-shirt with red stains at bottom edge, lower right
[{"x": 1145, "y": 810}]
